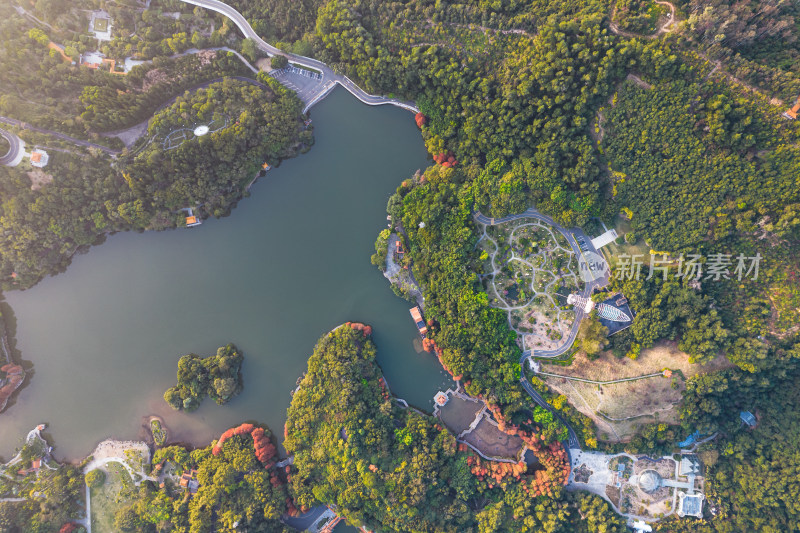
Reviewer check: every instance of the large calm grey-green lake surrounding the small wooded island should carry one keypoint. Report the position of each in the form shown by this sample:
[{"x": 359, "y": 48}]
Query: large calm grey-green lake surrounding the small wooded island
[{"x": 290, "y": 263}]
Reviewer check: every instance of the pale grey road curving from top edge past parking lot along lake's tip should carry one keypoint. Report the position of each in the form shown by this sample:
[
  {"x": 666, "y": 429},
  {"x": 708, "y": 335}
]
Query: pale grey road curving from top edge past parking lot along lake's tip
[{"x": 329, "y": 78}]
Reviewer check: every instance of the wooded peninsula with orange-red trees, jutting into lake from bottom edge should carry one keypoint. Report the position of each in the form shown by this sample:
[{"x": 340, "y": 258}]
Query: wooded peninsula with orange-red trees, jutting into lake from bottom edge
[{"x": 393, "y": 468}]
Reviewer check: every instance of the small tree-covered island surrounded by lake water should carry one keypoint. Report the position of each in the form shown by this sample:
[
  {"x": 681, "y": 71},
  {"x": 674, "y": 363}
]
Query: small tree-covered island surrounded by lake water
[{"x": 217, "y": 376}]
